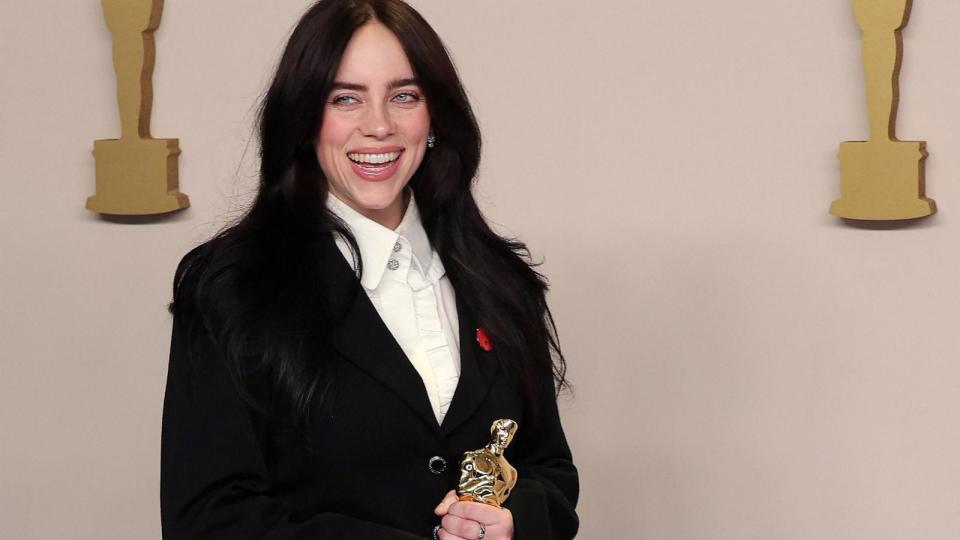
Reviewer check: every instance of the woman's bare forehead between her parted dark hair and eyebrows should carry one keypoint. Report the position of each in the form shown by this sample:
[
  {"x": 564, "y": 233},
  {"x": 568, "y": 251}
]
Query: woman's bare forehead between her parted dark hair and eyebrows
[{"x": 374, "y": 54}]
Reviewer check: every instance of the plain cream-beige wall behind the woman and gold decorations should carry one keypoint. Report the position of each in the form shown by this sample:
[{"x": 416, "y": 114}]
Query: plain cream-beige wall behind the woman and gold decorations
[{"x": 747, "y": 367}]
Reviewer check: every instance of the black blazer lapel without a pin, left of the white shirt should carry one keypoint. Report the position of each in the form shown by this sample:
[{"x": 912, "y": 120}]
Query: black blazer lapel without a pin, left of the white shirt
[{"x": 363, "y": 339}]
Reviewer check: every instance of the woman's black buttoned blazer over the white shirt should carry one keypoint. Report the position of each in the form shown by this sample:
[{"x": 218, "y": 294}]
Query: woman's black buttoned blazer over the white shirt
[{"x": 373, "y": 465}]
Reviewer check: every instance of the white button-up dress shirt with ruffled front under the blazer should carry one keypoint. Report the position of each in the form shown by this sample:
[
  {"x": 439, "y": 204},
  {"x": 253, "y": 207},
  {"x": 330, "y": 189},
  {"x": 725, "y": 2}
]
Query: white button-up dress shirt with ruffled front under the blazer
[{"x": 406, "y": 282}]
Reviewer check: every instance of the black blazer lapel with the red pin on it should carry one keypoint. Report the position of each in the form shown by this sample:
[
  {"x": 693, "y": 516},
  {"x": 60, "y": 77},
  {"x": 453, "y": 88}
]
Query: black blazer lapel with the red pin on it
[{"x": 477, "y": 370}]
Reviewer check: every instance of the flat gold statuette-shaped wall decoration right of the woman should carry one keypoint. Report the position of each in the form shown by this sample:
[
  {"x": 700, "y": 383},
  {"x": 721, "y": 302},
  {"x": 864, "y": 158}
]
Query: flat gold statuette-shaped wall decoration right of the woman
[{"x": 882, "y": 178}]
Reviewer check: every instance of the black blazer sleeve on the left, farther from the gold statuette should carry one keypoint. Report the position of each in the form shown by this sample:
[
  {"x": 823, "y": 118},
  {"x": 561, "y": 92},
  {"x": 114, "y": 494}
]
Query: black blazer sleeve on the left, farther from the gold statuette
[{"x": 214, "y": 483}]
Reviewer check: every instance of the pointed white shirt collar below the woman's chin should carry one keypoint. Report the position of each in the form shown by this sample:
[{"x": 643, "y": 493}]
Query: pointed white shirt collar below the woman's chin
[{"x": 376, "y": 242}]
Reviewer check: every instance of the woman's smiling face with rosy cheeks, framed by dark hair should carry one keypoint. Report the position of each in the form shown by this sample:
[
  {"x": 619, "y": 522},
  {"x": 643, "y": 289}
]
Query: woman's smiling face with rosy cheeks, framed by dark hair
[{"x": 375, "y": 126}]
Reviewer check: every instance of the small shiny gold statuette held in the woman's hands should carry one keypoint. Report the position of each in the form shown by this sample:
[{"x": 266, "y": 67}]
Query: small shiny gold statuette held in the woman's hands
[{"x": 485, "y": 475}]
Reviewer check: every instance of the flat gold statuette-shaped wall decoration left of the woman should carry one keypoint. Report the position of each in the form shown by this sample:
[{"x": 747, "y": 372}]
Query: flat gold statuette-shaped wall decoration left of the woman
[{"x": 136, "y": 174}]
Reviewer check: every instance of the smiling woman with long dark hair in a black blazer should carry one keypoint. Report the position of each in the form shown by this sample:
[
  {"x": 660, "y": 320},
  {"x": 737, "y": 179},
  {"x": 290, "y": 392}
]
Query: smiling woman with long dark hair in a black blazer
[{"x": 338, "y": 349}]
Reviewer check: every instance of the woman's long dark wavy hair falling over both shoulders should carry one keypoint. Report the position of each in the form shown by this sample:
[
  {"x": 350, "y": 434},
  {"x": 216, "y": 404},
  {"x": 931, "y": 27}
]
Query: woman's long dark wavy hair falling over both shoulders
[{"x": 256, "y": 288}]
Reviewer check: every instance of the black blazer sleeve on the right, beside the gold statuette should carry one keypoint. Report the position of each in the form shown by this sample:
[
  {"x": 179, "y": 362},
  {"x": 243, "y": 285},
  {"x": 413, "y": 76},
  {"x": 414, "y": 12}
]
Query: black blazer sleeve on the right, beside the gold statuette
[{"x": 544, "y": 500}]
